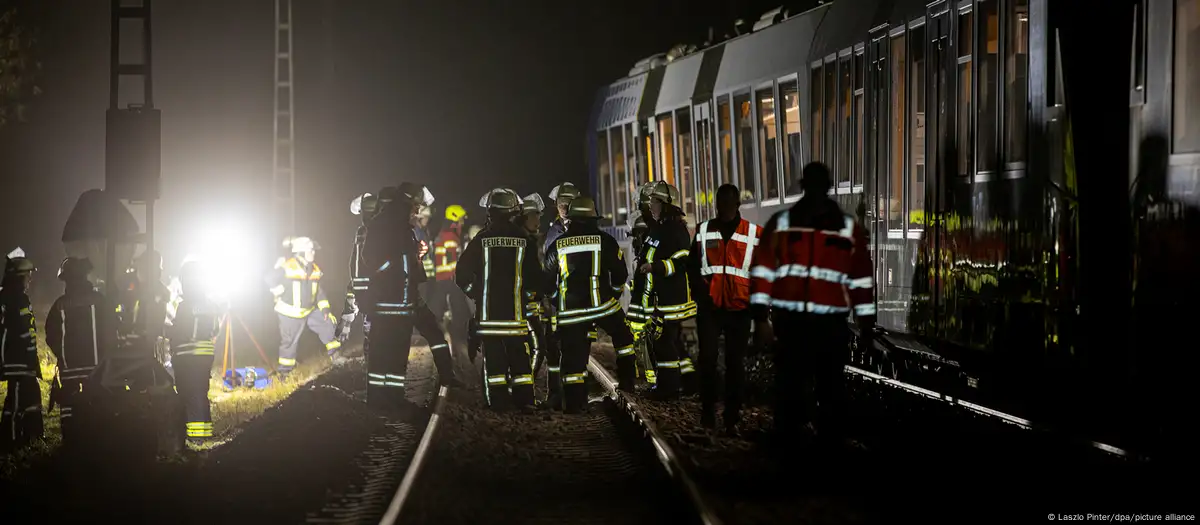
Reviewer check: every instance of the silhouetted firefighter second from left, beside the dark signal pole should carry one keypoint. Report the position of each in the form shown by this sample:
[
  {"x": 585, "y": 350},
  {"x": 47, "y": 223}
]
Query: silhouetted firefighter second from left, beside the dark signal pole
[{"x": 81, "y": 330}]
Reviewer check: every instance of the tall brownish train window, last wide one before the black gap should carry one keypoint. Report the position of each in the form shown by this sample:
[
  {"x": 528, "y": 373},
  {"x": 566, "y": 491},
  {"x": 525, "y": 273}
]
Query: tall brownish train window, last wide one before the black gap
[{"x": 1017, "y": 86}]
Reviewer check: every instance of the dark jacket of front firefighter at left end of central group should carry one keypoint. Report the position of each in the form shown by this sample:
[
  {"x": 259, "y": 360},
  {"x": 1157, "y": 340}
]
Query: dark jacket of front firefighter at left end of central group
[{"x": 393, "y": 267}]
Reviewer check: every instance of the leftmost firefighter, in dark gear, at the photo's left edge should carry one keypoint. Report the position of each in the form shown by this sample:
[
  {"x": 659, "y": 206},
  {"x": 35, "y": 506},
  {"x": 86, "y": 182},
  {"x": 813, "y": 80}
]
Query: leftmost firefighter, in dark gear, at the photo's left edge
[{"x": 22, "y": 420}]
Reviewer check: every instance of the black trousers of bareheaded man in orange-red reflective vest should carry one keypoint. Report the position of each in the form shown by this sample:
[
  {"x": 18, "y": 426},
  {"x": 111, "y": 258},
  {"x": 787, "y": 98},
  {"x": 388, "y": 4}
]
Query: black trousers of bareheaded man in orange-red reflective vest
[{"x": 735, "y": 325}]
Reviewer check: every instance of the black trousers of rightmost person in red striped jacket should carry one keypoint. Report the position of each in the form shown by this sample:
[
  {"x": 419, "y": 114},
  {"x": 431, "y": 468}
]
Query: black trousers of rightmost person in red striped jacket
[{"x": 811, "y": 360}]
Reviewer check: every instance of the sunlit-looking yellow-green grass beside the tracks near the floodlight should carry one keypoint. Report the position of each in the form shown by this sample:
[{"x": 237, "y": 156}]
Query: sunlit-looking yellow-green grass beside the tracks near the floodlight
[{"x": 230, "y": 409}]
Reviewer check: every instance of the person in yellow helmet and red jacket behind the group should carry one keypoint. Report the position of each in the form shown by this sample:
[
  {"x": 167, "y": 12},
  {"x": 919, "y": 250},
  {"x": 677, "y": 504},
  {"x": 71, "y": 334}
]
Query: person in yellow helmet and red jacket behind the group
[{"x": 447, "y": 295}]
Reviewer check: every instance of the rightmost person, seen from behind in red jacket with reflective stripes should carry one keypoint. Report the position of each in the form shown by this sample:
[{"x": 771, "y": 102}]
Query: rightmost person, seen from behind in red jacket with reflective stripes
[{"x": 809, "y": 309}]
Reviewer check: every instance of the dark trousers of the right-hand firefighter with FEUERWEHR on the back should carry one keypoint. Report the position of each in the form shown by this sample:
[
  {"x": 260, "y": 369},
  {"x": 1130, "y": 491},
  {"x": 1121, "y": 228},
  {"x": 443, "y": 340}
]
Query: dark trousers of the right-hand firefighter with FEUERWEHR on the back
[{"x": 577, "y": 348}]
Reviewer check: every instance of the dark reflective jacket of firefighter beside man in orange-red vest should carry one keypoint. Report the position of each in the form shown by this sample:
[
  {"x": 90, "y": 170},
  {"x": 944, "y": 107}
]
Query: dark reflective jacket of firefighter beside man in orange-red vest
[{"x": 668, "y": 291}]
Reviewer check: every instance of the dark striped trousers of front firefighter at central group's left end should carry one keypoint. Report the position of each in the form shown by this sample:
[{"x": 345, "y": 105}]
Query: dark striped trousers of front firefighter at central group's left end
[{"x": 392, "y": 337}]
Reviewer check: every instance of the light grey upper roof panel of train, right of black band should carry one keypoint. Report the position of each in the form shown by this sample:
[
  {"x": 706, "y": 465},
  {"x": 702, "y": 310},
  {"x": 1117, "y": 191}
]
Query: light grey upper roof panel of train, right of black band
[{"x": 770, "y": 53}]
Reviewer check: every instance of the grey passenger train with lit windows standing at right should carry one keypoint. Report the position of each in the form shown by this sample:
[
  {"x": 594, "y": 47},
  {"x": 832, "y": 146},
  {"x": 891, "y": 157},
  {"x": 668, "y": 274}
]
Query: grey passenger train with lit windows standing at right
[{"x": 952, "y": 130}]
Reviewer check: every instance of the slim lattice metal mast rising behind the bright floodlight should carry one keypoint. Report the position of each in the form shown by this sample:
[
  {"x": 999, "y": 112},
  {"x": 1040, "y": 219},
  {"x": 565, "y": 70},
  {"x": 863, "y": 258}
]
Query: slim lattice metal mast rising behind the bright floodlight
[{"x": 285, "y": 123}]
